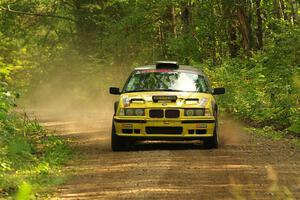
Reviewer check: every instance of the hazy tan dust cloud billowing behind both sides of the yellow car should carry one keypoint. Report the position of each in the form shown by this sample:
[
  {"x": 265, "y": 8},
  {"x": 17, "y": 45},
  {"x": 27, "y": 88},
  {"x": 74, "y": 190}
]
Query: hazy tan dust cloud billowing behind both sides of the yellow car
[{"x": 73, "y": 93}]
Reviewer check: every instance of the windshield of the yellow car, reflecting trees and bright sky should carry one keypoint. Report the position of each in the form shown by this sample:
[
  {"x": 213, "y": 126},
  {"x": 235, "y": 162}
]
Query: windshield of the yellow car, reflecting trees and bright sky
[{"x": 164, "y": 80}]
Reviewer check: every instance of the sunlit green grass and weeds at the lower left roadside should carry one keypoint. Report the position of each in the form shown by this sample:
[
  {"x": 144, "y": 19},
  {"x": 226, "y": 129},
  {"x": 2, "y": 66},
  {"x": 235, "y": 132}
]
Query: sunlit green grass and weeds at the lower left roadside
[{"x": 31, "y": 158}]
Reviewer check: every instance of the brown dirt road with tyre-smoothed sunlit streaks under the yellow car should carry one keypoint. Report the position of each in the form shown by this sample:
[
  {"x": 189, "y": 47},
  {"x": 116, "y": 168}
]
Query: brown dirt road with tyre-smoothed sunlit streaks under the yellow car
[{"x": 245, "y": 167}]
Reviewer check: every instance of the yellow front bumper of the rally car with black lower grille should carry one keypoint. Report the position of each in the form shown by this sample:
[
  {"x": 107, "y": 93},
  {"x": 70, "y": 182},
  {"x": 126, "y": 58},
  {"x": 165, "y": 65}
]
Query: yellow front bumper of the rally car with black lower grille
[{"x": 181, "y": 129}]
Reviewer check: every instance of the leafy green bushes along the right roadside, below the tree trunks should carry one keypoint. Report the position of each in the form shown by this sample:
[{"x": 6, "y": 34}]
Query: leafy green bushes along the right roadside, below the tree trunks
[{"x": 264, "y": 88}]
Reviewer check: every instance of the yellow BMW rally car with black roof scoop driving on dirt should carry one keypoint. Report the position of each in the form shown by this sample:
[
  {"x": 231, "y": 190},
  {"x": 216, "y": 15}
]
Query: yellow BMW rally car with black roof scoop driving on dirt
[{"x": 166, "y": 101}]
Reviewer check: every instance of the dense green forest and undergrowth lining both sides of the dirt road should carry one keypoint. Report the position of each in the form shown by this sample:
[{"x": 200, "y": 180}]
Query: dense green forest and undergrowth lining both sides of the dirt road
[{"x": 251, "y": 47}]
